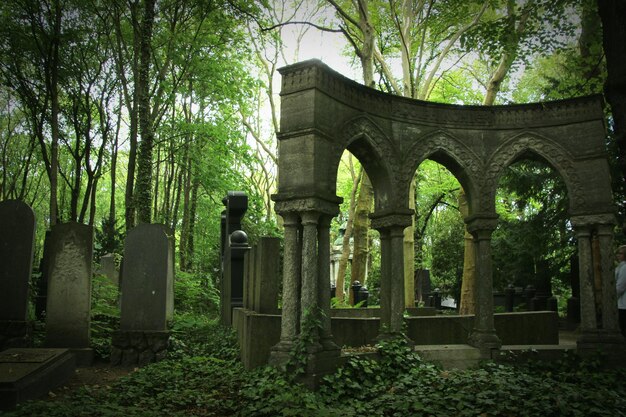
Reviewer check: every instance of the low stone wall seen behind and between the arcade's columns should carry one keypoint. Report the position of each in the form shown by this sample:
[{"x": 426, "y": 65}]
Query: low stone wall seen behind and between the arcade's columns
[{"x": 257, "y": 333}]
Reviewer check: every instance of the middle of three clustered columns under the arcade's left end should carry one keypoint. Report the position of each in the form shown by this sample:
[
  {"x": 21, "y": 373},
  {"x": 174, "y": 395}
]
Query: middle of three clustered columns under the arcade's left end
[{"x": 309, "y": 296}]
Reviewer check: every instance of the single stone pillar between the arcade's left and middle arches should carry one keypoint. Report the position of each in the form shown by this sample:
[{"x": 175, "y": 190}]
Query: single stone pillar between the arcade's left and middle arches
[{"x": 391, "y": 228}]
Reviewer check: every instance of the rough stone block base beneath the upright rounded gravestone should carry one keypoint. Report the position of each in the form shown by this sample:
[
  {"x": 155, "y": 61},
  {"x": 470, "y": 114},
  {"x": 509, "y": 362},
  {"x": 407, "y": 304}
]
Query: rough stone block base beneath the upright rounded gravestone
[{"x": 138, "y": 348}]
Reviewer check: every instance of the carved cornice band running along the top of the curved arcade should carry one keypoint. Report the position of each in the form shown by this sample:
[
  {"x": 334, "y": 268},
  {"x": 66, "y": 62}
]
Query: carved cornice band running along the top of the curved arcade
[{"x": 314, "y": 74}]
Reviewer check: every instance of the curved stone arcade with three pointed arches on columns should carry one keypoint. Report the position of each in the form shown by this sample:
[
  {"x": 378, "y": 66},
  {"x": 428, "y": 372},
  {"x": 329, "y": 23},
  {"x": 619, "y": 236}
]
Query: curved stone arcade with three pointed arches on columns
[{"x": 324, "y": 113}]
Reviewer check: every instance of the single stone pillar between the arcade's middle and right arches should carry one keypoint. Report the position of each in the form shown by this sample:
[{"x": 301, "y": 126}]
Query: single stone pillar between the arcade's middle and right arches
[{"x": 483, "y": 335}]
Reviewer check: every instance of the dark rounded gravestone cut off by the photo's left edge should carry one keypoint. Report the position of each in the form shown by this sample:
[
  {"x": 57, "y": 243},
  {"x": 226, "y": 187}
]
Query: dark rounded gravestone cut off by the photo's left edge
[{"x": 17, "y": 237}]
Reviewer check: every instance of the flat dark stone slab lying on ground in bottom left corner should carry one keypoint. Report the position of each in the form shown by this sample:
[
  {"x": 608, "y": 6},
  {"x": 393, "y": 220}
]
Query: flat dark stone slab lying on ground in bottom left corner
[{"x": 27, "y": 374}]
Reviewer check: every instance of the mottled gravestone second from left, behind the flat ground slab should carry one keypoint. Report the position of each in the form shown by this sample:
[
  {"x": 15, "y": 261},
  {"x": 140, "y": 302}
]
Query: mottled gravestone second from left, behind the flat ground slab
[{"x": 68, "y": 308}]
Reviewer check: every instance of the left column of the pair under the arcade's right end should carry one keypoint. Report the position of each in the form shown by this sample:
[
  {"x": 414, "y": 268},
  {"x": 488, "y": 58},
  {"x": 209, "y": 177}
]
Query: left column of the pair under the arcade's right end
[{"x": 588, "y": 322}]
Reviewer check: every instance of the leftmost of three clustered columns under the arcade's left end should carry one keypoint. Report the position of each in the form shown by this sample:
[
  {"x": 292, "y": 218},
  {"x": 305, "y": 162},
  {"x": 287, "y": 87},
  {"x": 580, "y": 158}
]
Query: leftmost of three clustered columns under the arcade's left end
[{"x": 291, "y": 283}]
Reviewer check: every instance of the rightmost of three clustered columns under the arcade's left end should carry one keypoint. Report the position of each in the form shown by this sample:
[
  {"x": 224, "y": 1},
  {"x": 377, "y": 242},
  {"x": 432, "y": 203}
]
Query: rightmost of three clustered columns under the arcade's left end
[{"x": 323, "y": 286}]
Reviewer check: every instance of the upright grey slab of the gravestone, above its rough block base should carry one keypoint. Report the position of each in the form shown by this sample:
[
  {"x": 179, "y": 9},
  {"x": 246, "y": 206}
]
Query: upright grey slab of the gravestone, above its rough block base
[{"x": 146, "y": 278}]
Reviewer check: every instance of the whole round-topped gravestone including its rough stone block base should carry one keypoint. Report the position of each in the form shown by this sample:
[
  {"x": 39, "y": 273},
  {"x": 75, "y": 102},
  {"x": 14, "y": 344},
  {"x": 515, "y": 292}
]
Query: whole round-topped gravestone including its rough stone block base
[{"x": 147, "y": 296}]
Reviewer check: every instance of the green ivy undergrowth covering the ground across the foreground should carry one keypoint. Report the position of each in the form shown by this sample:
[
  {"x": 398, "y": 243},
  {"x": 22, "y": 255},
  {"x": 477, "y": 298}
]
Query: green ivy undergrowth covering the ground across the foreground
[{"x": 203, "y": 377}]
